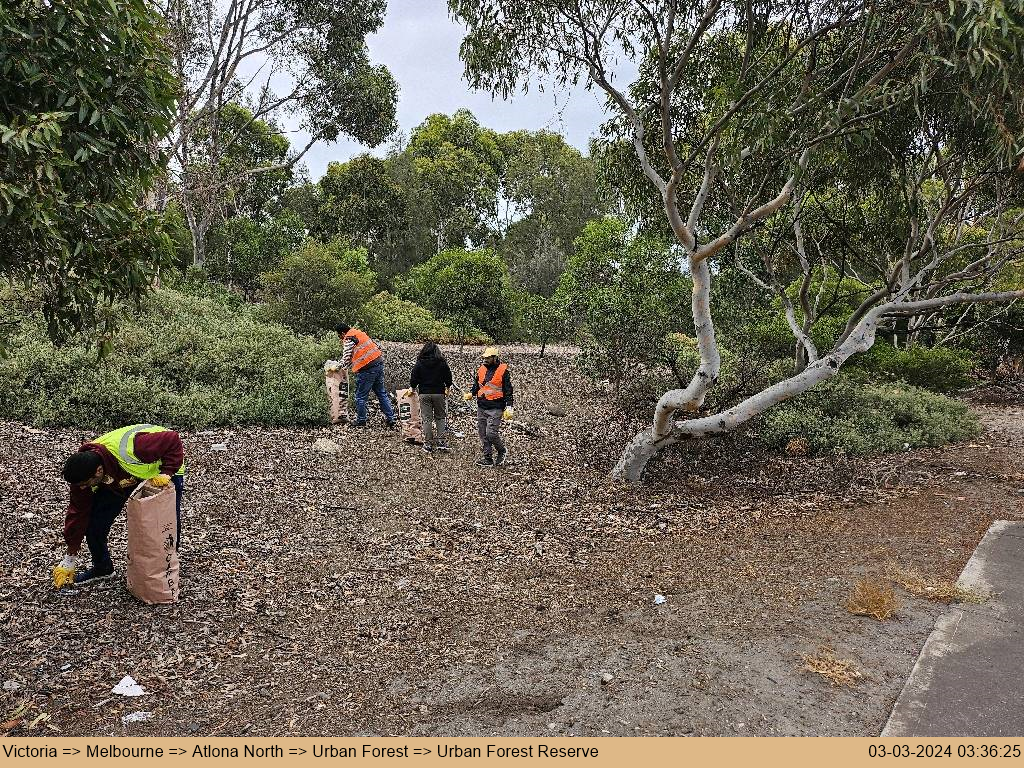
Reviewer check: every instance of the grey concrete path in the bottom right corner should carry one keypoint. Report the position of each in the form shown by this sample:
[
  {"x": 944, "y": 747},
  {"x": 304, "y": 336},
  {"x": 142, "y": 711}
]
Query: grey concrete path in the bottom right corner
[{"x": 969, "y": 680}]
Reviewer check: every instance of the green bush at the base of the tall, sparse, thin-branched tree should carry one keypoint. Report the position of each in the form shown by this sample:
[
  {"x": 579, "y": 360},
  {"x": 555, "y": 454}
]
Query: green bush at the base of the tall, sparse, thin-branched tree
[{"x": 242, "y": 249}]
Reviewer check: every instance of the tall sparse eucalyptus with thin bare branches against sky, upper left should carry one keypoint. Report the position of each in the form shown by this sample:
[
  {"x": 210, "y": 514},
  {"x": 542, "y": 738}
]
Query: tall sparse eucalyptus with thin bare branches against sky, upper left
[{"x": 306, "y": 61}]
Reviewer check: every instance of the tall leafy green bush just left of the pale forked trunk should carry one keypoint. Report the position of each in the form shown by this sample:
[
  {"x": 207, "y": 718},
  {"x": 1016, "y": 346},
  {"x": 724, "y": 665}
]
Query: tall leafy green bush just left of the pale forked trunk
[{"x": 625, "y": 296}]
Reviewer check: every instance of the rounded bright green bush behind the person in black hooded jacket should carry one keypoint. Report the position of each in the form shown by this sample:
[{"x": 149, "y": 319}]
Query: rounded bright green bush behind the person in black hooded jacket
[{"x": 466, "y": 289}]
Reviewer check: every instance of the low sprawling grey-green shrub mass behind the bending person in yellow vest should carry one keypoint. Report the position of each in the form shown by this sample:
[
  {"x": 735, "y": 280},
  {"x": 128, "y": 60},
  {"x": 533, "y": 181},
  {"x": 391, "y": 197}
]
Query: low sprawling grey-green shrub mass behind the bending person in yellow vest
[{"x": 181, "y": 361}]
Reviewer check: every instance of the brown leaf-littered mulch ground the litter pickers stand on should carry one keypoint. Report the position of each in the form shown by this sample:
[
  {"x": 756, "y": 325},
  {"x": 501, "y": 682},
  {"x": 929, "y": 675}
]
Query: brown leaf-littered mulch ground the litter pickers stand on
[{"x": 386, "y": 591}]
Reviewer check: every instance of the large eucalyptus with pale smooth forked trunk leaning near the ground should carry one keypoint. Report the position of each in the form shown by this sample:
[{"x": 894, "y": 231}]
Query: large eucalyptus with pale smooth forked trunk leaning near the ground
[{"x": 733, "y": 107}]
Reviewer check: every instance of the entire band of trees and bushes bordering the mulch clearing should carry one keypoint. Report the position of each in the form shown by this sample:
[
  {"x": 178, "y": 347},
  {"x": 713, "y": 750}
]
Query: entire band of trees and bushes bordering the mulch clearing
[{"x": 782, "y": 192}]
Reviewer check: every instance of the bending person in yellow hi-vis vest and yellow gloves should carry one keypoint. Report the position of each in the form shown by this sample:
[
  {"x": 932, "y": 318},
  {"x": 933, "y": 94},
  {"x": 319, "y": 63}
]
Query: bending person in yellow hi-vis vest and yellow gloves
[{"x": 103, "y": 476}]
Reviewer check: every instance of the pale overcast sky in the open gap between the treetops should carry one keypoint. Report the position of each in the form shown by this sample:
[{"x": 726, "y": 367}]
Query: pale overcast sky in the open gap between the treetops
[{"x": 419, "y": 44}]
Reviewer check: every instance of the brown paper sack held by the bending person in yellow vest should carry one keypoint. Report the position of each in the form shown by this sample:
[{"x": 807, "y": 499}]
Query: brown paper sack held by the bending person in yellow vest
[{"x": 153, "y": 556}]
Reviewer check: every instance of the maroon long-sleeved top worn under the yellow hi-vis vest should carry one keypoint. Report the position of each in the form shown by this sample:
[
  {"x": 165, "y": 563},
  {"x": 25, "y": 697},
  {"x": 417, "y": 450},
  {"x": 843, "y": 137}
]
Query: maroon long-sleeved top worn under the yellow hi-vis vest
[{"x": 150, "y": 447}]
